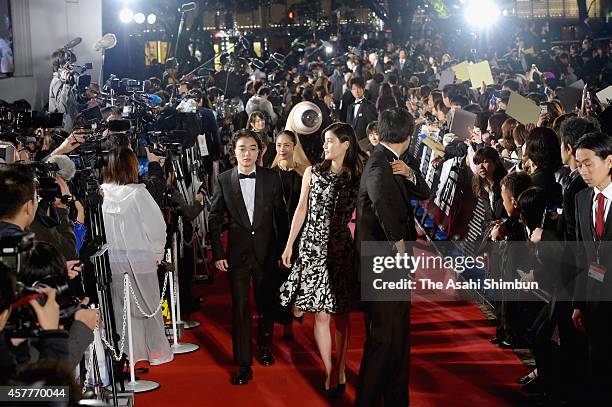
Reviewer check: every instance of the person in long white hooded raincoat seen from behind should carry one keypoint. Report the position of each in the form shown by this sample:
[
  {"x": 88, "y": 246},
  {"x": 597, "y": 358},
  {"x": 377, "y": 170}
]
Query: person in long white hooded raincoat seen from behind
[{"x": 136, "y": 234}]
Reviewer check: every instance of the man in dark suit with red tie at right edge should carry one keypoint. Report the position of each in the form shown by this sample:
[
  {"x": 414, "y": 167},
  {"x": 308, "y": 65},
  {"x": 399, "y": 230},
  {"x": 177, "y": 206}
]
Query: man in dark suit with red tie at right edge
[{"x": 593, "y": 295}]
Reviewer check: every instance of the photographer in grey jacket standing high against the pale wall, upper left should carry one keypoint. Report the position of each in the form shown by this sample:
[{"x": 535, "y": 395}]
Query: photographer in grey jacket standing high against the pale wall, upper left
[{"x": 63, "y": 91}]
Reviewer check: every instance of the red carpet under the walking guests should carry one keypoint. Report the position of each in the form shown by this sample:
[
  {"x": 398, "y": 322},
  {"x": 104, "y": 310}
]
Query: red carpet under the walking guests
[{"x": 452, "y": 362}]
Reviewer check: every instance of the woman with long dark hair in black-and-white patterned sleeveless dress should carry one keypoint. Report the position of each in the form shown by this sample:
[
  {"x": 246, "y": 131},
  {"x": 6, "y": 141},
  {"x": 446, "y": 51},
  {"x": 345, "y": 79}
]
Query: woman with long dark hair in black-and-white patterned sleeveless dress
[{"x": 320, "y": 280}]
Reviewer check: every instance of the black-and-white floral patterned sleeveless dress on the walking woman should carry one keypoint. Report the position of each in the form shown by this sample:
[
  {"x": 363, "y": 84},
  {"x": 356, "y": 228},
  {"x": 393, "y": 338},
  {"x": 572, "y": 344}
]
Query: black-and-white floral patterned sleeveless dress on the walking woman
[{"x": 322, "y": 276}]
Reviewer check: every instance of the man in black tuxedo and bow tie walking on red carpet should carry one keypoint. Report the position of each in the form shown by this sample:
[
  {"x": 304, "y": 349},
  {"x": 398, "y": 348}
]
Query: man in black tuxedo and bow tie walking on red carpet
[{"x": 251, "y": 196}]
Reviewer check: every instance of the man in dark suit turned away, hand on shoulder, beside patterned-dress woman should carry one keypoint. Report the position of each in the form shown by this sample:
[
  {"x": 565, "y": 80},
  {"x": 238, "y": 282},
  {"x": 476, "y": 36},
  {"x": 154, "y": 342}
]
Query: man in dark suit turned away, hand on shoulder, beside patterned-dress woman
[{"x": 384, "y": 214}]
